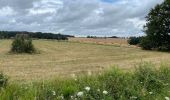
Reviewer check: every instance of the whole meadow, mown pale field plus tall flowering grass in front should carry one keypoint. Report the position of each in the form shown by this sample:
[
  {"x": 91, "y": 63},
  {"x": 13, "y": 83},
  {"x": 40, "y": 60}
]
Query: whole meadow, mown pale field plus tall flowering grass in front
[{"x": 80, "y": 70}]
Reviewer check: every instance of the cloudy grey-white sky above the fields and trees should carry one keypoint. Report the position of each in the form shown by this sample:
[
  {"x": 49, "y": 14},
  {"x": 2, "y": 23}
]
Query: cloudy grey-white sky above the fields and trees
[{"x": 76, "y": 17}]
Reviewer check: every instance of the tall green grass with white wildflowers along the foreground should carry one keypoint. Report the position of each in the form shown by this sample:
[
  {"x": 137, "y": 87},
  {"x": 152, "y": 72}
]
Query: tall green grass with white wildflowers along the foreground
[{"x": 146, "y": 82}]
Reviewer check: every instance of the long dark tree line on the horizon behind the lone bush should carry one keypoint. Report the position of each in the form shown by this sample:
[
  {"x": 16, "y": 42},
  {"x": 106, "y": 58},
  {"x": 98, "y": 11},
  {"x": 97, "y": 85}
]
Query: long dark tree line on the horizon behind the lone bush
[{"x": 36, "y": 35}]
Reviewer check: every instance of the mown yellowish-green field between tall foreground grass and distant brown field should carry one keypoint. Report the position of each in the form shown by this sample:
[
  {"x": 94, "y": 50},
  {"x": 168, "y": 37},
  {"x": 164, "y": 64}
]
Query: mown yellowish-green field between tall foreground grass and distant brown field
[{"x": 62, "y": 59}]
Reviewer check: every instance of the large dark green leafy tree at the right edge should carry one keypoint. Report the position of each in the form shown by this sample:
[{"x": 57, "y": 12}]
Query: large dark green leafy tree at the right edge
[{"x": 157, "y": 28}]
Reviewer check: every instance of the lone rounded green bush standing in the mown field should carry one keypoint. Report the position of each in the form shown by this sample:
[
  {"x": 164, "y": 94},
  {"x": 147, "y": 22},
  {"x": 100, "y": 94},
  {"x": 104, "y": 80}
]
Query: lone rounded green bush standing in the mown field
[{"x": 22, "y": 44}]
